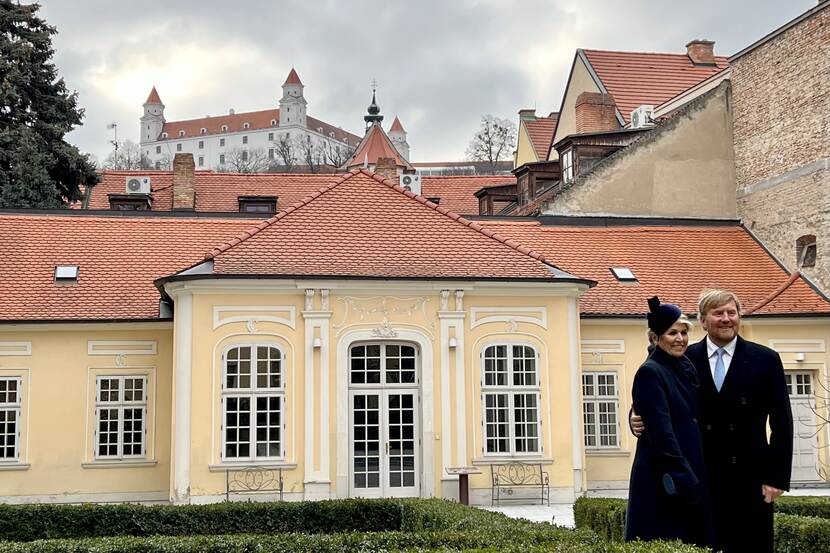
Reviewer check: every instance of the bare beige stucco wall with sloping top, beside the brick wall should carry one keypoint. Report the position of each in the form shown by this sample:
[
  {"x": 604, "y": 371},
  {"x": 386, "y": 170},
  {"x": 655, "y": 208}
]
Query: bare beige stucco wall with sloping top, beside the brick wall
[{"x": 684, "y": 168}]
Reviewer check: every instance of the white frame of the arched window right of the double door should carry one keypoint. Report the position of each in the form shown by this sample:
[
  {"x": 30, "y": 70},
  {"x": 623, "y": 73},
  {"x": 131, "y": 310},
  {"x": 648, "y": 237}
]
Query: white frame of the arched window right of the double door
[{"x": 511, "y": 390}]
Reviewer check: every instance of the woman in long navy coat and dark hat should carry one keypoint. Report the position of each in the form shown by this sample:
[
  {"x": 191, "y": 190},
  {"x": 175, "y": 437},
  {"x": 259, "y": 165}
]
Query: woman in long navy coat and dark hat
[{"x": 668, "y": 497}]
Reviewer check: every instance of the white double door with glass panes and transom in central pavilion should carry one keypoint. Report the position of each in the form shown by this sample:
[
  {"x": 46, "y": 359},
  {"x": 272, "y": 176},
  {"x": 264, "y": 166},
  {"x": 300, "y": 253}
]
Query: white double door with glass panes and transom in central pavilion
[{"x": 384, "y": 416}]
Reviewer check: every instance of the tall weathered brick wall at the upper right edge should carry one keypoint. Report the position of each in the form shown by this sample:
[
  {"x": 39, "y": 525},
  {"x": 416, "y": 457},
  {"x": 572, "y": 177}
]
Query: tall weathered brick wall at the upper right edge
[{"x": 781, "y": 109}]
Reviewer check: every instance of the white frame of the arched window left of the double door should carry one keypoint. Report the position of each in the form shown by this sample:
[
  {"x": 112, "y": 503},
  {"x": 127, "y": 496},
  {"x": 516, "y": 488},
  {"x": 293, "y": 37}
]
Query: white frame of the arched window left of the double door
[{"x": 252, "y": 393}]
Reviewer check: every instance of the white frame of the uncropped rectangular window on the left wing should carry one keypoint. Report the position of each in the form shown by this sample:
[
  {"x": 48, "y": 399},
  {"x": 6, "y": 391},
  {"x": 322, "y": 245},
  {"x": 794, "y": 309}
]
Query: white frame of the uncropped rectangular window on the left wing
[{"x": 119, "y": 405}]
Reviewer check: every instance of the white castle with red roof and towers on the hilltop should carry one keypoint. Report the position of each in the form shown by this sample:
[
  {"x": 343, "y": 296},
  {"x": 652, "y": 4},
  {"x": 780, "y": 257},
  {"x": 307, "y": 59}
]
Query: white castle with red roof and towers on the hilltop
[{"x": 284, "y": 136}]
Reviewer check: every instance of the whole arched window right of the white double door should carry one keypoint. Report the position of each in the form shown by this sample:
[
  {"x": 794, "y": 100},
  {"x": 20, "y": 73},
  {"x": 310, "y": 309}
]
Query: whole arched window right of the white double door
[{"x": 511, "y": 400}]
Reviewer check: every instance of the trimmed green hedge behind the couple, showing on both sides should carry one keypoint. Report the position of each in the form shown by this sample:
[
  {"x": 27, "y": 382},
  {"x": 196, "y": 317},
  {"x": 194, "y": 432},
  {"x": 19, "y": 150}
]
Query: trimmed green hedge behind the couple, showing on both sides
[{"x": 795, "y": 530}]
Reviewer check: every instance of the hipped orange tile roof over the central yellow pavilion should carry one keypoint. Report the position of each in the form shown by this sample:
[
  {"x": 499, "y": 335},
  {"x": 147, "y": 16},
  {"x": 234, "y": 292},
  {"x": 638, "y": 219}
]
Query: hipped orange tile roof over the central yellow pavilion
[{"x": 363, "y": 226}]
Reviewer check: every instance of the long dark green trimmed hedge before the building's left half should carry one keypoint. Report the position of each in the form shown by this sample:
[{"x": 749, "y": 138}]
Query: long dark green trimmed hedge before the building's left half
[{"x": 31, "y": 522}]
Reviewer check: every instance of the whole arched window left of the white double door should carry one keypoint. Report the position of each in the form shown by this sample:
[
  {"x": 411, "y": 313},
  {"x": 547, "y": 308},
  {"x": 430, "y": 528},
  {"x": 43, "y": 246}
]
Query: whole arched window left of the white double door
[{"x": 253, "y": 403}]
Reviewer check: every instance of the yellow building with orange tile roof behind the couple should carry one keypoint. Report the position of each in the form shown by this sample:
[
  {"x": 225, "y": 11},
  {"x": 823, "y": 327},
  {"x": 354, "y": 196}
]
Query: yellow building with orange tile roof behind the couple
[{"x": 361, "y": 342}]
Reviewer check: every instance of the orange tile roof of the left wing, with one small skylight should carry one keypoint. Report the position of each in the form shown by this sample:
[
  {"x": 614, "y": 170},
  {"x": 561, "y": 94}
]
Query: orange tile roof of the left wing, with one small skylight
[{"x": 118, "y": 259}]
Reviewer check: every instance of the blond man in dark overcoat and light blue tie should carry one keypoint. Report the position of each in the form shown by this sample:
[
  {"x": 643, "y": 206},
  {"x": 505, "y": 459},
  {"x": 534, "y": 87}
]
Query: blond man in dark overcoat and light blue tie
[{"x": 742, "y": 387}]
